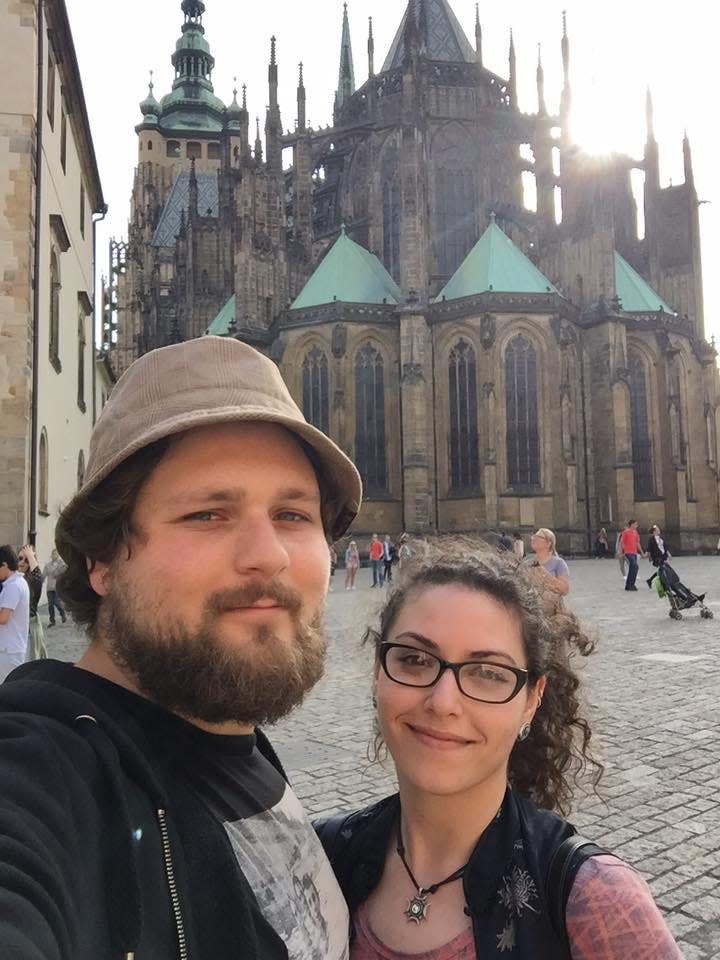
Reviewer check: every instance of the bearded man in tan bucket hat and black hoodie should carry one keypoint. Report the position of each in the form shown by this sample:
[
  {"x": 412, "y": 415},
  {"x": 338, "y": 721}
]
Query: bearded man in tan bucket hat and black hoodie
[{"x": 144, "y": 814}]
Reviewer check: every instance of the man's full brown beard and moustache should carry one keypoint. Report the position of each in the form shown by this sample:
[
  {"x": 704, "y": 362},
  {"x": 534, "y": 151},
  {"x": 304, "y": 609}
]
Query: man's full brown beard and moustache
[{"x": 199, "y": 675}]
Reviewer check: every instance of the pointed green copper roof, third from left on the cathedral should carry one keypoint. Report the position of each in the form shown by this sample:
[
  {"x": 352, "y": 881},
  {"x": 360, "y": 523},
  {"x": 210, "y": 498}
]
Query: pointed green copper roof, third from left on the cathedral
[{"x": 495, "y": 263}]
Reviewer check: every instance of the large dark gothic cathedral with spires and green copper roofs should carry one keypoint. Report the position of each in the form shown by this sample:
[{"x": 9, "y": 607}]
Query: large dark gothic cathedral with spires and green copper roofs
[{"x": 486, "y": 366}]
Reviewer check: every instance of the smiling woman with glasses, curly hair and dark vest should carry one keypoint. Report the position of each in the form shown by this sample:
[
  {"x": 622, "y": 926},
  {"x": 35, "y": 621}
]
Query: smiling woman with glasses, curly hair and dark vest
[{"x": 477, "y": 703}]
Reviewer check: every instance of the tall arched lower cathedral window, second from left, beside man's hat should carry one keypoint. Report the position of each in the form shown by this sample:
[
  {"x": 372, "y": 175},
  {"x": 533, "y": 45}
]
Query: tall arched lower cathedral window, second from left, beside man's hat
[{"x": 370, "y": 456}]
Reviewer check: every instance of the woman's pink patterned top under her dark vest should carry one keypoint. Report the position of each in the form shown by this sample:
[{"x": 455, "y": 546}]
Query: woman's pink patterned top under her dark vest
[{"x": 610, "y": 915}]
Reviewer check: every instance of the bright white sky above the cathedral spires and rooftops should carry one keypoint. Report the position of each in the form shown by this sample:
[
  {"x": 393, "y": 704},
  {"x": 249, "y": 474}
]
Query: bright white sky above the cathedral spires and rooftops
[{"x": 618, "y": 49}]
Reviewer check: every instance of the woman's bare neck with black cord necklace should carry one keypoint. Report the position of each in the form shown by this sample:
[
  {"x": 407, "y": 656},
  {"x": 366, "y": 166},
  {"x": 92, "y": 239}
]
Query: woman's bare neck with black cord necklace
[{"x": 439, "y": 833}]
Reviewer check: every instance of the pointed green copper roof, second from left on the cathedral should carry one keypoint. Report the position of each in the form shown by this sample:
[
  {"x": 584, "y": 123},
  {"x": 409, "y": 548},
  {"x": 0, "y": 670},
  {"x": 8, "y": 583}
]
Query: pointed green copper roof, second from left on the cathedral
[{"x": 351, "y": 274}]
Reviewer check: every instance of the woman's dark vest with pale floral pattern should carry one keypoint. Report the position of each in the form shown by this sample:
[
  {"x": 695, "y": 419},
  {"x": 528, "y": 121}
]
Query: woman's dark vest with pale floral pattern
[{"x": 508, "y": 884}]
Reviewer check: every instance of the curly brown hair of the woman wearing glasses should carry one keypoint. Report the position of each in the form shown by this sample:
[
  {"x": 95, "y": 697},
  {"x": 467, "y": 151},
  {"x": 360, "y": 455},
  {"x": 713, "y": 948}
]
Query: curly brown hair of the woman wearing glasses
[{"x": 547, "y": 766}]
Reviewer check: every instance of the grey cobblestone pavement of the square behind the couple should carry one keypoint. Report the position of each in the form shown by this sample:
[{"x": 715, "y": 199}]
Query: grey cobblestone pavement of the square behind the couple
[{"x": 652, "y": 687}]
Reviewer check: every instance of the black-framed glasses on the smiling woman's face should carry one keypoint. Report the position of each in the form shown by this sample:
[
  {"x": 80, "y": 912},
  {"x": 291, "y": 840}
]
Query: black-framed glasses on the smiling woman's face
[{"x": 477, "y": 679}]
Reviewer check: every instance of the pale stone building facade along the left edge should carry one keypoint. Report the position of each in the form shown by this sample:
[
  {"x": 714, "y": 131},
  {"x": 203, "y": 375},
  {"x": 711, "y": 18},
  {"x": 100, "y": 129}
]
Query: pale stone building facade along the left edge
[{"x": 50, "y": 189}]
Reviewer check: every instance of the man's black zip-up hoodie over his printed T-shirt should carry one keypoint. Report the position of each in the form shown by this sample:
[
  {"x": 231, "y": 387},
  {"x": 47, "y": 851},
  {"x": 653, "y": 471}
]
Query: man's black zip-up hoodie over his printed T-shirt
[{"x": 105, "y": 852}]
